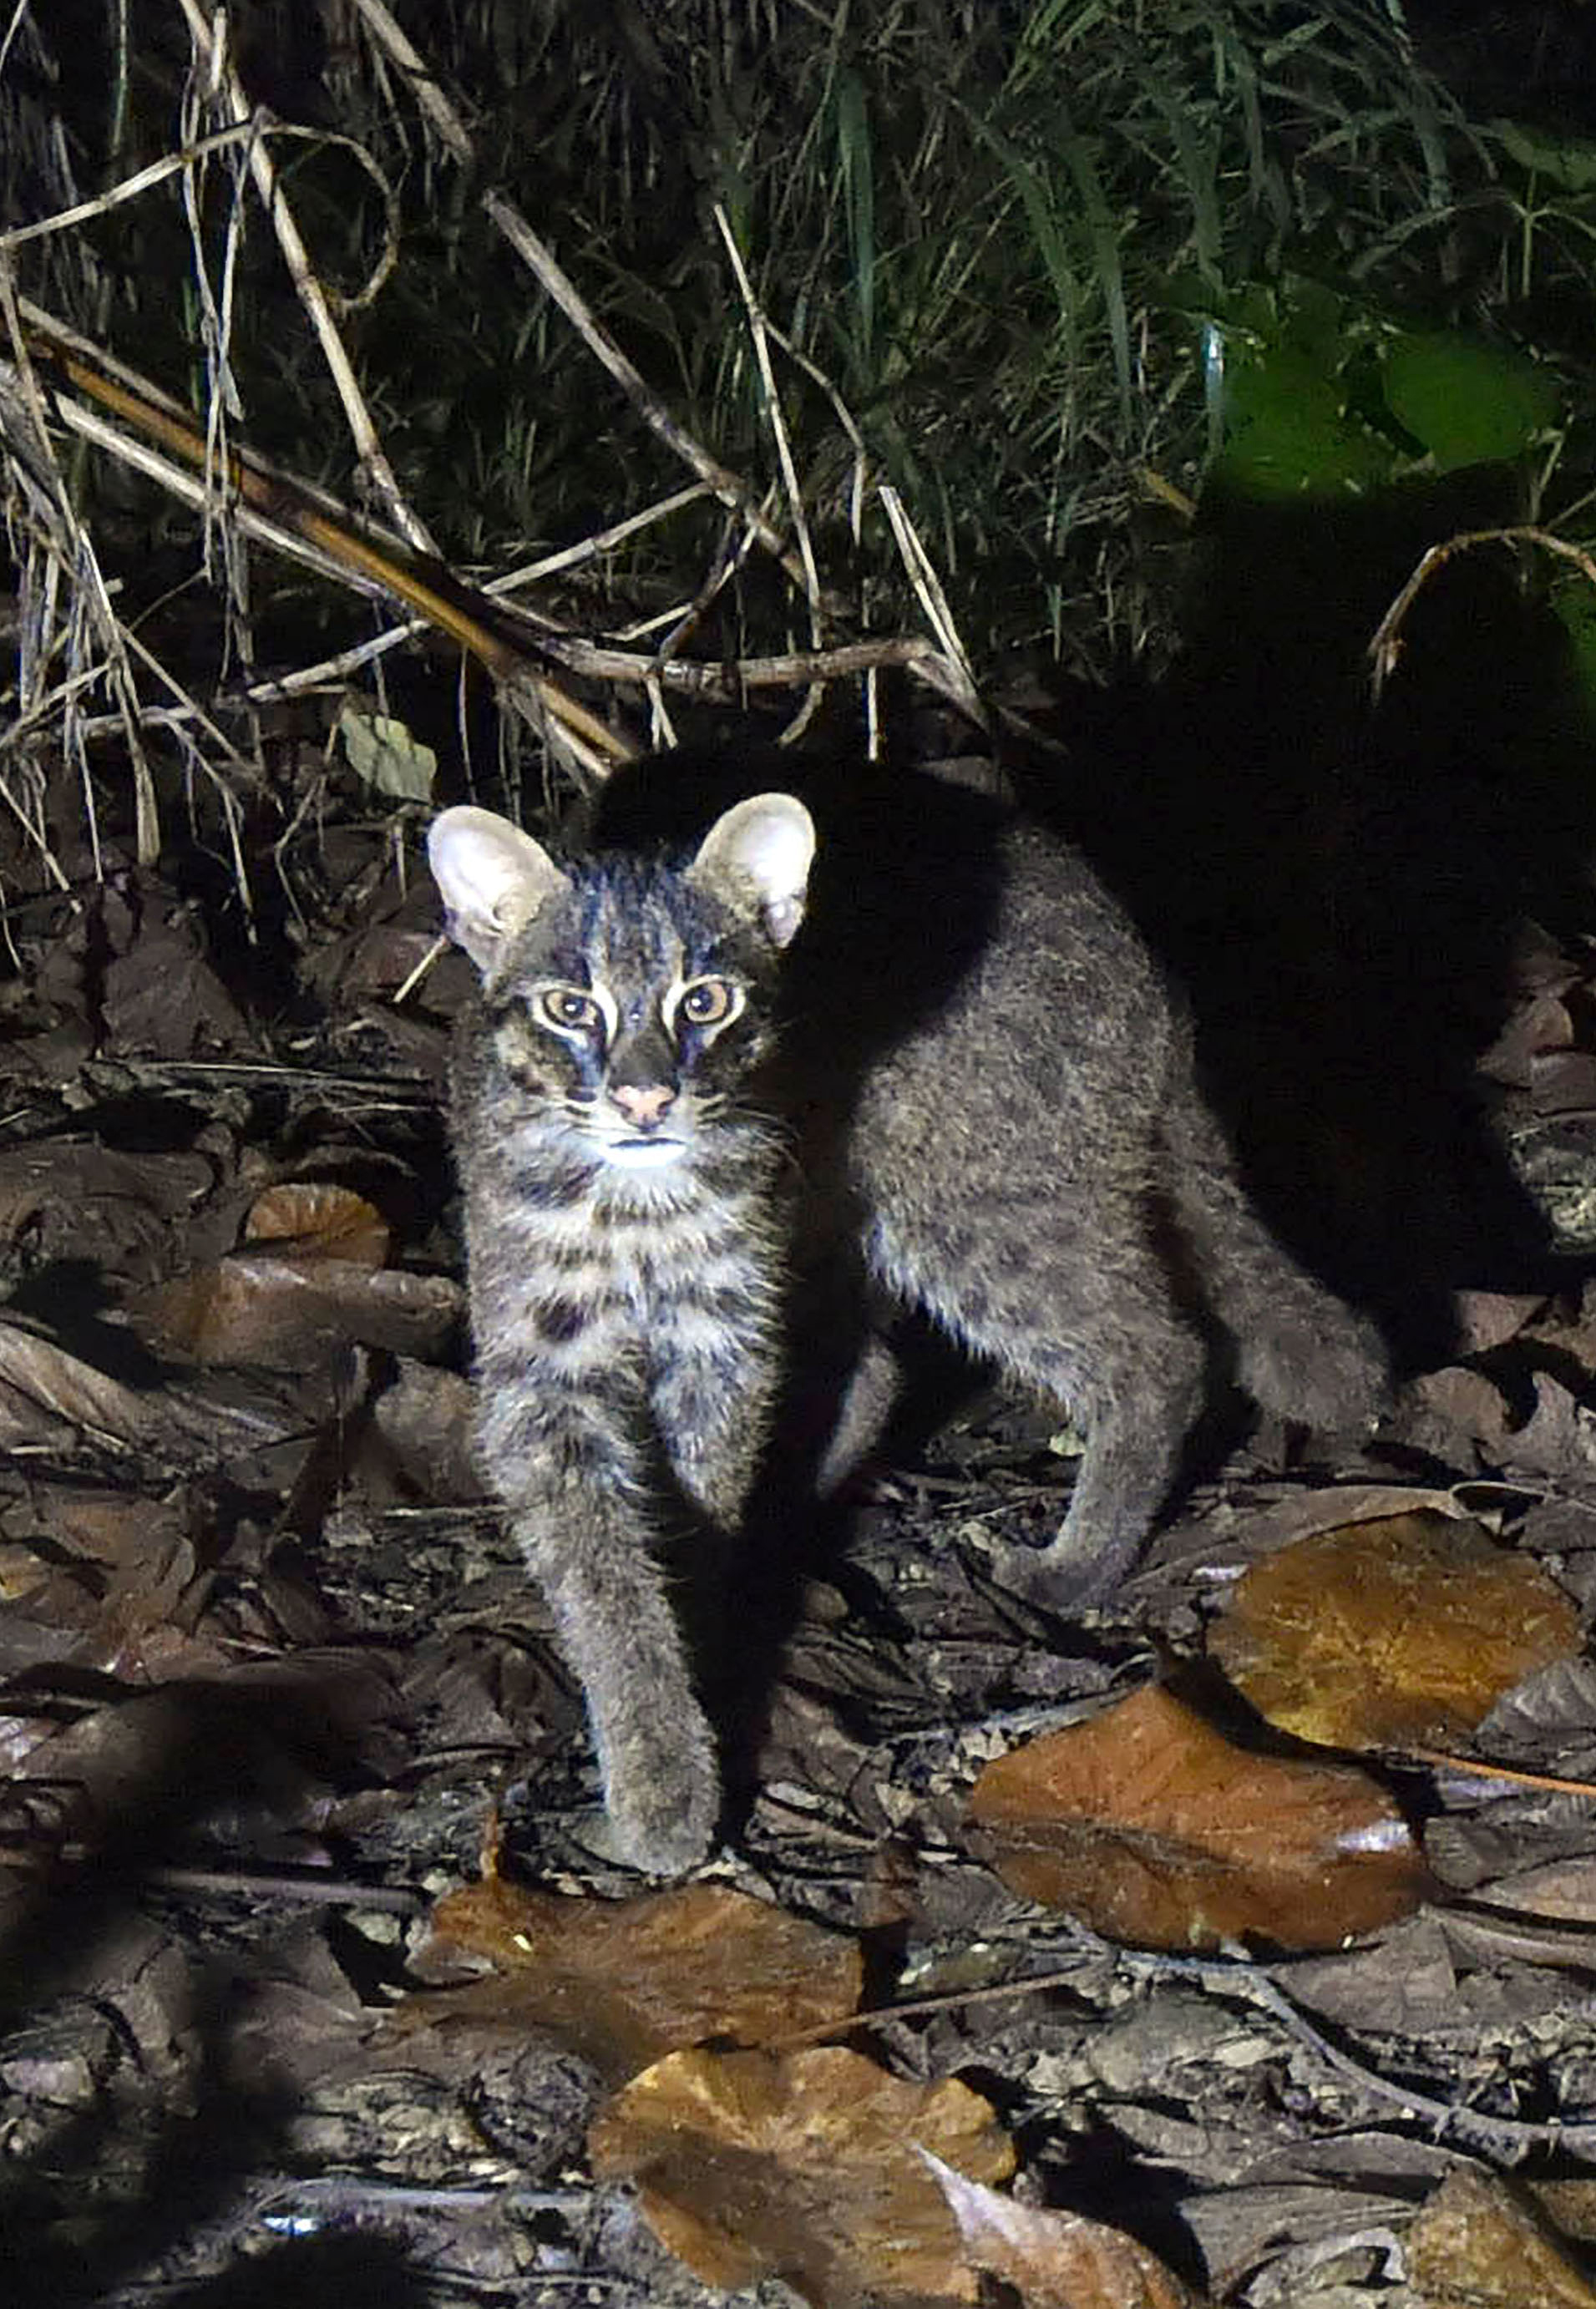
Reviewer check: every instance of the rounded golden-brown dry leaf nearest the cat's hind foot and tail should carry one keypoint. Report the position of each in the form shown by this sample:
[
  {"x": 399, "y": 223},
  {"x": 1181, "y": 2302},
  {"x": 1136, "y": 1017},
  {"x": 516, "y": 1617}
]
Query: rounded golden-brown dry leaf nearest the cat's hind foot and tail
[{"x": 1387, "y": 1636}]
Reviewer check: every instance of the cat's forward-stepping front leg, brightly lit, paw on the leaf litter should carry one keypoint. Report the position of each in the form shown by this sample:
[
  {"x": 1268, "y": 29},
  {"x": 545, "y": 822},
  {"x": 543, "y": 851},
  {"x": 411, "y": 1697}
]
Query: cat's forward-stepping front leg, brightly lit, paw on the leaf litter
[{"x": 572, "y": 1472}]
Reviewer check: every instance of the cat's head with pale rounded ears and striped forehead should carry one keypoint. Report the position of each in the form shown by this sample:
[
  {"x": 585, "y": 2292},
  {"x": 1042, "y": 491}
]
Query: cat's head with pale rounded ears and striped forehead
[{"x": 629, "y": 999}]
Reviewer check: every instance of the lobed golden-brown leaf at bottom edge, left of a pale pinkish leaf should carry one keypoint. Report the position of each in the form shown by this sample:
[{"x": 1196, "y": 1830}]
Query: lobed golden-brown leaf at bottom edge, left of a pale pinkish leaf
[{"x": 807, "y": 2167}]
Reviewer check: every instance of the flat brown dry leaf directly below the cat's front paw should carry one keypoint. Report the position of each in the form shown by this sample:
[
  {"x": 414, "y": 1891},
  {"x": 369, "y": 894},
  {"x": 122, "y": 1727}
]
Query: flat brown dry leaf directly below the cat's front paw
[{"x": 625, "y": 1982}]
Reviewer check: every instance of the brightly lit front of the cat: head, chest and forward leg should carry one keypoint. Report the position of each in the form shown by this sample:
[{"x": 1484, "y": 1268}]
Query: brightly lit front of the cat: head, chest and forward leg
[{"x": 627, "y": 1253}]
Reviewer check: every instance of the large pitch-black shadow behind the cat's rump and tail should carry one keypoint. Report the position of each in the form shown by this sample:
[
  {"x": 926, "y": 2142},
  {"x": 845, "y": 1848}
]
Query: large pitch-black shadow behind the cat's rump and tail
[{"x": 1341, "y": 879}]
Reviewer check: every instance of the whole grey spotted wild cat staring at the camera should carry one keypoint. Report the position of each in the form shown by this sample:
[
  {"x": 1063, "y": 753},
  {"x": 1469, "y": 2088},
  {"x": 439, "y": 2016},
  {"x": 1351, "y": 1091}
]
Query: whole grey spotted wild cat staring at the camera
[{"x": 964, "y": 1059}]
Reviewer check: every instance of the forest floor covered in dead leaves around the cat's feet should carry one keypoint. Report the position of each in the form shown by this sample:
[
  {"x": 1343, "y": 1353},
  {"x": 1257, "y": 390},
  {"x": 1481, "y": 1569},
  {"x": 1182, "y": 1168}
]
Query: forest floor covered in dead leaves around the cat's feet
[{"x": 274, "y": 1687}]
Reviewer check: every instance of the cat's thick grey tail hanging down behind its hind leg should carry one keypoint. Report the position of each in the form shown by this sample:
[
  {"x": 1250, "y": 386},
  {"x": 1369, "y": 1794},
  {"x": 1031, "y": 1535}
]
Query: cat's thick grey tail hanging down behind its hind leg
[{"x": 1299, "y": 1350}]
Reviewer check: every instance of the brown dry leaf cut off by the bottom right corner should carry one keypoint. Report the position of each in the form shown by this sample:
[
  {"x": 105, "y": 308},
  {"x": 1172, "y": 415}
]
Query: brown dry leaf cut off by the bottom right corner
[{"x": 1477, "y": 2246}]
